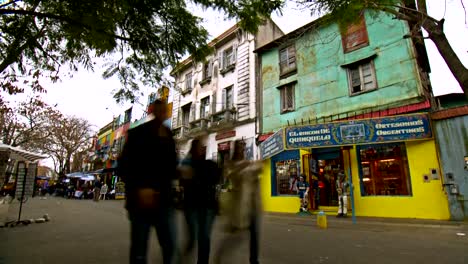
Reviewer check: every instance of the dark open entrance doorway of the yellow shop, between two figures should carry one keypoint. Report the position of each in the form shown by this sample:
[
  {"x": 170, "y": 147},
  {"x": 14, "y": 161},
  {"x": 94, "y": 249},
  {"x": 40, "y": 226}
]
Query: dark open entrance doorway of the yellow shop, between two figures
[{"x": 330, "y": 163}]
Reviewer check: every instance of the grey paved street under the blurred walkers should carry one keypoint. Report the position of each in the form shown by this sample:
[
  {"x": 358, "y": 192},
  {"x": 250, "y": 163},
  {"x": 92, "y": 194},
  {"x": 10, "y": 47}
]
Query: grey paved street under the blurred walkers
[{"x": 88, "y": 232}]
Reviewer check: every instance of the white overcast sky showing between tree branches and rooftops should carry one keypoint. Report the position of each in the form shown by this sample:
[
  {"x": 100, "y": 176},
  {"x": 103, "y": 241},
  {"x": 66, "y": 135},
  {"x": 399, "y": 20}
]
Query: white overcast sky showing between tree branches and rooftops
[{"x": 87, "y": 95}]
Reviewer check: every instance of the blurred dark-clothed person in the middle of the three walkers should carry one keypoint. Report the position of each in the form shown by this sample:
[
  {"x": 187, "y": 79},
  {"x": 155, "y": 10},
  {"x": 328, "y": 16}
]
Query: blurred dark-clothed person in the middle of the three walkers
[{"x": 199, "y": 179}]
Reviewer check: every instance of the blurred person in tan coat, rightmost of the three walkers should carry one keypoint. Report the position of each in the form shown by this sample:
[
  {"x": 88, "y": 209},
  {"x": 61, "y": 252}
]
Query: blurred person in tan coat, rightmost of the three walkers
[{"x": 244, "y": 209}]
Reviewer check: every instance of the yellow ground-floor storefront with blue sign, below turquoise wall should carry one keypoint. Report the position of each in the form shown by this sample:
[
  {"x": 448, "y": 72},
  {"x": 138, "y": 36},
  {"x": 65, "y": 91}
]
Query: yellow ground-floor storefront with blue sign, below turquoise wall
[{"x": 387, "y": 162}]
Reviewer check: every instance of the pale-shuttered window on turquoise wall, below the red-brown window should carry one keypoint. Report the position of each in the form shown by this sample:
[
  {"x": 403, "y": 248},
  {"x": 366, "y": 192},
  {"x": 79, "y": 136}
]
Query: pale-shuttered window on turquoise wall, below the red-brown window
[{"x": 361, "y": 77}]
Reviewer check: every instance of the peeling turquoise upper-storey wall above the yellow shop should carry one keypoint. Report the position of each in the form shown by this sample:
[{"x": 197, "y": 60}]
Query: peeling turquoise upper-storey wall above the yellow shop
[{"x": 322, "y": 83}]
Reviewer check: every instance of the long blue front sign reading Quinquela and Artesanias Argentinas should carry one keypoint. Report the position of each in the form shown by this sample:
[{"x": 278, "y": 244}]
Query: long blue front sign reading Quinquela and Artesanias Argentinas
[{"x": 386, "y": 129}]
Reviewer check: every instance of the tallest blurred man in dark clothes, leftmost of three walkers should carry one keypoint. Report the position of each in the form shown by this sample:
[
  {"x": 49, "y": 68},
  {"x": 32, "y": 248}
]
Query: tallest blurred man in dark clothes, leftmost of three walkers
[{"x": 148, "y": 166}]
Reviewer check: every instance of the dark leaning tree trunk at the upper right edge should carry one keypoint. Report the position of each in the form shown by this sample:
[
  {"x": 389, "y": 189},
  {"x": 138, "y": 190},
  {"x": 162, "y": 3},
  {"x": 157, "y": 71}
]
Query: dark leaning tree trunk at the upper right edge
[{"x": 459, "y": 71}]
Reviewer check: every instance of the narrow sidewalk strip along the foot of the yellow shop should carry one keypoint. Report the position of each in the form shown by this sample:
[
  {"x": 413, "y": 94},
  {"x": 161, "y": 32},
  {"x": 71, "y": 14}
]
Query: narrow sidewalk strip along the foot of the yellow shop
[{"x": 311, "y": 220}]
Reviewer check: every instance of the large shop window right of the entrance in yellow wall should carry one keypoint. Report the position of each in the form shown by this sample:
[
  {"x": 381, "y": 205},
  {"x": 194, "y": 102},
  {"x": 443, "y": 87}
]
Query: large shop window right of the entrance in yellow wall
[{"x": 384, "y": 170}]
